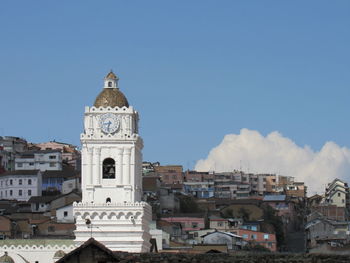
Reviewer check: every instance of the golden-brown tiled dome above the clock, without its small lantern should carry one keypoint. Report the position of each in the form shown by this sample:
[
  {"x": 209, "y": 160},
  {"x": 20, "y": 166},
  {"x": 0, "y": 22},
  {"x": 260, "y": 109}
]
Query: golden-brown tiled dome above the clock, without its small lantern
[{"x": 111, "y": 98}]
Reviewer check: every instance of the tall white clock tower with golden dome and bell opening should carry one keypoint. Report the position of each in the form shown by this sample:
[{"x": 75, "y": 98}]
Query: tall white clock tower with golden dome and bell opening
[{"x": 111, "y": 210}]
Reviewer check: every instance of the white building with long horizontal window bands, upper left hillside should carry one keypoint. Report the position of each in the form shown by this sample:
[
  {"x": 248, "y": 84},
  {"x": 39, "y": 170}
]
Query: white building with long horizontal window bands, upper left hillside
[{"x": 46, "y": 160}]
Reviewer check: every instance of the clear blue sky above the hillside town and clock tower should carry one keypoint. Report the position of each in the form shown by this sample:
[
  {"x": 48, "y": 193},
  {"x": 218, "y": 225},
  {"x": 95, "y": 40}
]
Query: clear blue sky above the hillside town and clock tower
[{"x": 195, "y": 70}]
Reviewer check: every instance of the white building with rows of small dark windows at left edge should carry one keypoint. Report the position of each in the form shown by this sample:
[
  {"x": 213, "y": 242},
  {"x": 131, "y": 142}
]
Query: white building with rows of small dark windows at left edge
[{"x": 20, "y": 185}]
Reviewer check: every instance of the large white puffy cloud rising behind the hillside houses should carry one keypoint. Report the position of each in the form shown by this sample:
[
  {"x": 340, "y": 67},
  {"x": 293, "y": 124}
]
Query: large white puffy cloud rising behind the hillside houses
[{"x": 277, "y": 154}]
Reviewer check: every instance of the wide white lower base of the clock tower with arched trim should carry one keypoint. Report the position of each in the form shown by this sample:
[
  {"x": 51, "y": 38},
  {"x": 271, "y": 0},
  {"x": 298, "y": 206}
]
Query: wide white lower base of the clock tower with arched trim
[{"x": 120, "y": 227}]
